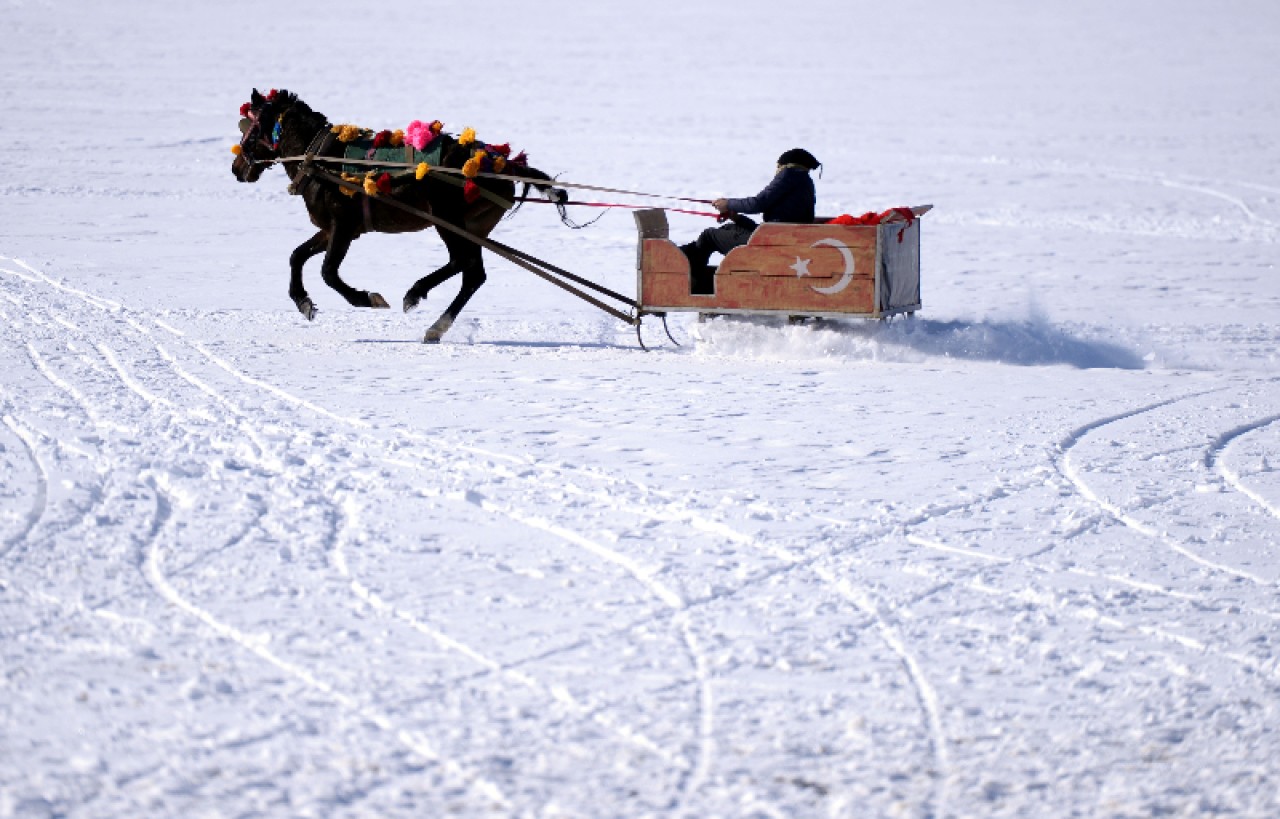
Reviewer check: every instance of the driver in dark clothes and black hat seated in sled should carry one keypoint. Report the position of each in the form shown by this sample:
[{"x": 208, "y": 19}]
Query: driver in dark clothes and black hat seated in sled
[{"x": 789, "y": 198}]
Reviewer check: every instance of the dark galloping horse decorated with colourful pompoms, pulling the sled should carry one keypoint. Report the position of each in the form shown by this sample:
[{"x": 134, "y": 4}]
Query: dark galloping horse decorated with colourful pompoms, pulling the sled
[{"x": 282, "y": 126}]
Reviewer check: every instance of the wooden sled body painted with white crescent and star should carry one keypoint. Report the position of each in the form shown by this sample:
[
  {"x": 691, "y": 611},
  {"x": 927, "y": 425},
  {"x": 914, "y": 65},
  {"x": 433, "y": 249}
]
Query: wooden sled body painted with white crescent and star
[{"x": 830, "y": 271}]
